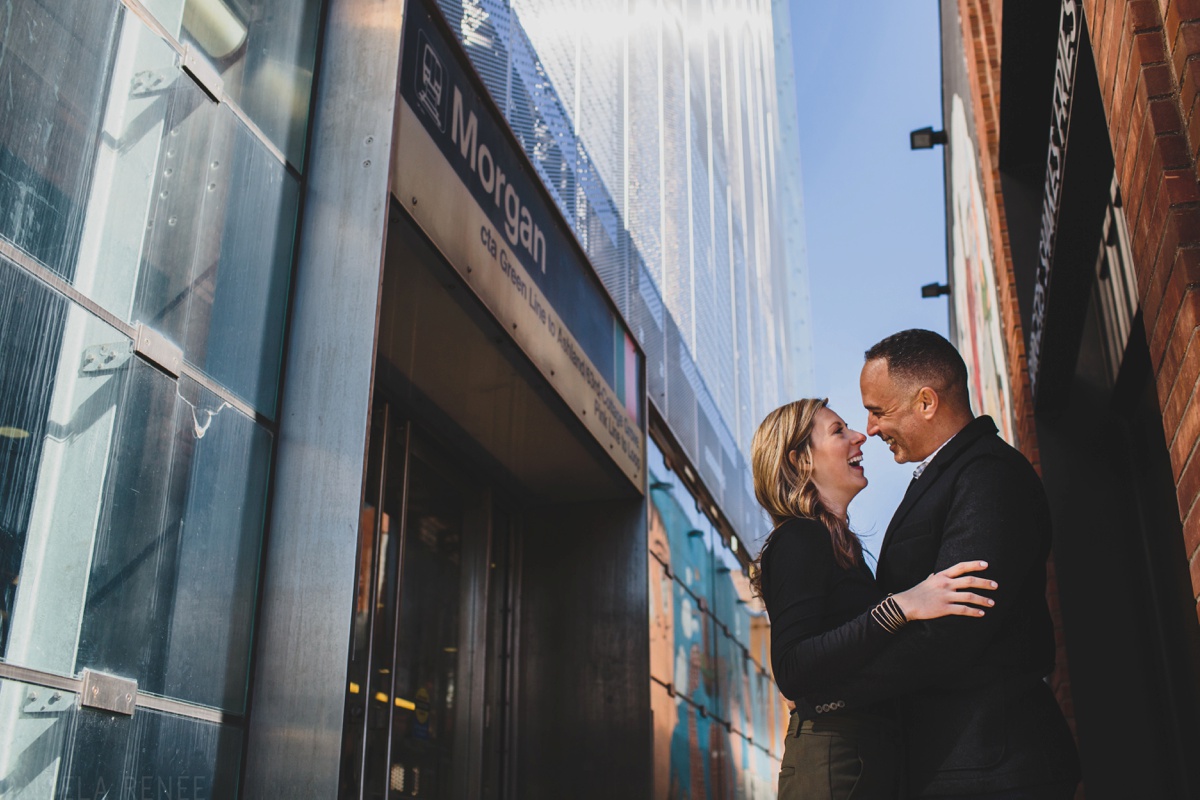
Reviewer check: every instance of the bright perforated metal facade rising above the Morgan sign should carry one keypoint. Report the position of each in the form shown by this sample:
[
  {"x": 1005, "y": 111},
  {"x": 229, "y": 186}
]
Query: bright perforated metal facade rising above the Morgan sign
[{"x": 667, "y": 134}]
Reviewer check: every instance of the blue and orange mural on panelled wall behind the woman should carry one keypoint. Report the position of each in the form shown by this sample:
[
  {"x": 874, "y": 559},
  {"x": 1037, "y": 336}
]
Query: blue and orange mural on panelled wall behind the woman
[{"x": 718, "y": 717}]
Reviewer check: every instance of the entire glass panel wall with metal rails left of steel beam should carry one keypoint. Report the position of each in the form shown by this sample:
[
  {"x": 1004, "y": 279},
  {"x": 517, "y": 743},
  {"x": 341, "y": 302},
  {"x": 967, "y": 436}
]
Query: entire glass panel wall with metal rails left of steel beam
[{"x": 133, "y": 500}]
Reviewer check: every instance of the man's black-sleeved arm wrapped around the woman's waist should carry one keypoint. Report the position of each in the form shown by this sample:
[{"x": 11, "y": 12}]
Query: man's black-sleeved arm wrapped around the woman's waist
[{"x": 999, "y": 516}]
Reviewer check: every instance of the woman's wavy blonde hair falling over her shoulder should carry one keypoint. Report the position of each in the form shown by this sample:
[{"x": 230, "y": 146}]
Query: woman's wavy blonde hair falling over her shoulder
[{"x": 784, "y": 486}]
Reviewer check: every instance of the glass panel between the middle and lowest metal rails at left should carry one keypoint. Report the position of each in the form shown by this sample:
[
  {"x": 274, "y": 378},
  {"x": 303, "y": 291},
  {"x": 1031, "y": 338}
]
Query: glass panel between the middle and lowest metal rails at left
[{"x": 133, "y": 509}]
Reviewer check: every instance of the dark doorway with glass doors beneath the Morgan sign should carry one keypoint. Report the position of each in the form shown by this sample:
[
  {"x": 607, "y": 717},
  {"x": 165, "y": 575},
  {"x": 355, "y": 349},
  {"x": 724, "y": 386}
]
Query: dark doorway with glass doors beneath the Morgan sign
[{"x": 429, "y": 682}]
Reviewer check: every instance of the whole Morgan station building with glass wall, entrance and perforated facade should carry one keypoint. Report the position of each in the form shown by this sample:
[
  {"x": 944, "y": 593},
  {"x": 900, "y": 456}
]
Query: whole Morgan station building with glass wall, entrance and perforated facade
[{"x": 379, "y": 384}]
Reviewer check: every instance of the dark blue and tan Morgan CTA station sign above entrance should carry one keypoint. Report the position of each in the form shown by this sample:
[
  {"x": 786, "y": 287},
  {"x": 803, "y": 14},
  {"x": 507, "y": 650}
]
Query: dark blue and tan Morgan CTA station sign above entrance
[{"x": 460, "y": 172}]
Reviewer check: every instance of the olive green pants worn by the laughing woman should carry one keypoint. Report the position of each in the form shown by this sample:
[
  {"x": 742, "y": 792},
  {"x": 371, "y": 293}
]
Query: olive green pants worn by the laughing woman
[{"x": 847, "y": 756}]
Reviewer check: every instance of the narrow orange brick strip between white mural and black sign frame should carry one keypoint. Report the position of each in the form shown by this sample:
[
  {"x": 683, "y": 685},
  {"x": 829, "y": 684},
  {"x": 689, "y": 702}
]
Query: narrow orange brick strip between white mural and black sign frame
[{"x": 981, "y": 37}]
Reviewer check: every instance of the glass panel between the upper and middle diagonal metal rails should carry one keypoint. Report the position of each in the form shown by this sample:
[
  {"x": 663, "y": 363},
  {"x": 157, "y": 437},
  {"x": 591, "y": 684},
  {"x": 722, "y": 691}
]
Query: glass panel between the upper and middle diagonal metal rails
[{"x": 122, "y": 177}]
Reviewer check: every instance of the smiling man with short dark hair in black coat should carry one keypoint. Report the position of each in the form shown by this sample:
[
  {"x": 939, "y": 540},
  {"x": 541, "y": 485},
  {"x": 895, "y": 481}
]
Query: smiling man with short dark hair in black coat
[{"x": 979, "y": 718}]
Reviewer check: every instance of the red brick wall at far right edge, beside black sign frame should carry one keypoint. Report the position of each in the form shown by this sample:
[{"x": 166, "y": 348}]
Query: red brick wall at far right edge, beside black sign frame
[{"x": 1148, "y": 56}]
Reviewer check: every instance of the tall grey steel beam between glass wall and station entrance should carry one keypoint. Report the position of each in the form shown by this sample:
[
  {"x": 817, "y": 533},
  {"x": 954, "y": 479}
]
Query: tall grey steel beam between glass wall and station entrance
[{"x": 301, "y": 673}]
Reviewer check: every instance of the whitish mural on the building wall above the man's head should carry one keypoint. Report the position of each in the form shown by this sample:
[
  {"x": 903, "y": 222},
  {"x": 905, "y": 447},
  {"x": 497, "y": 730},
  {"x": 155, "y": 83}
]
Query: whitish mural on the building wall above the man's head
[{"x": 979, "y": 332}]
